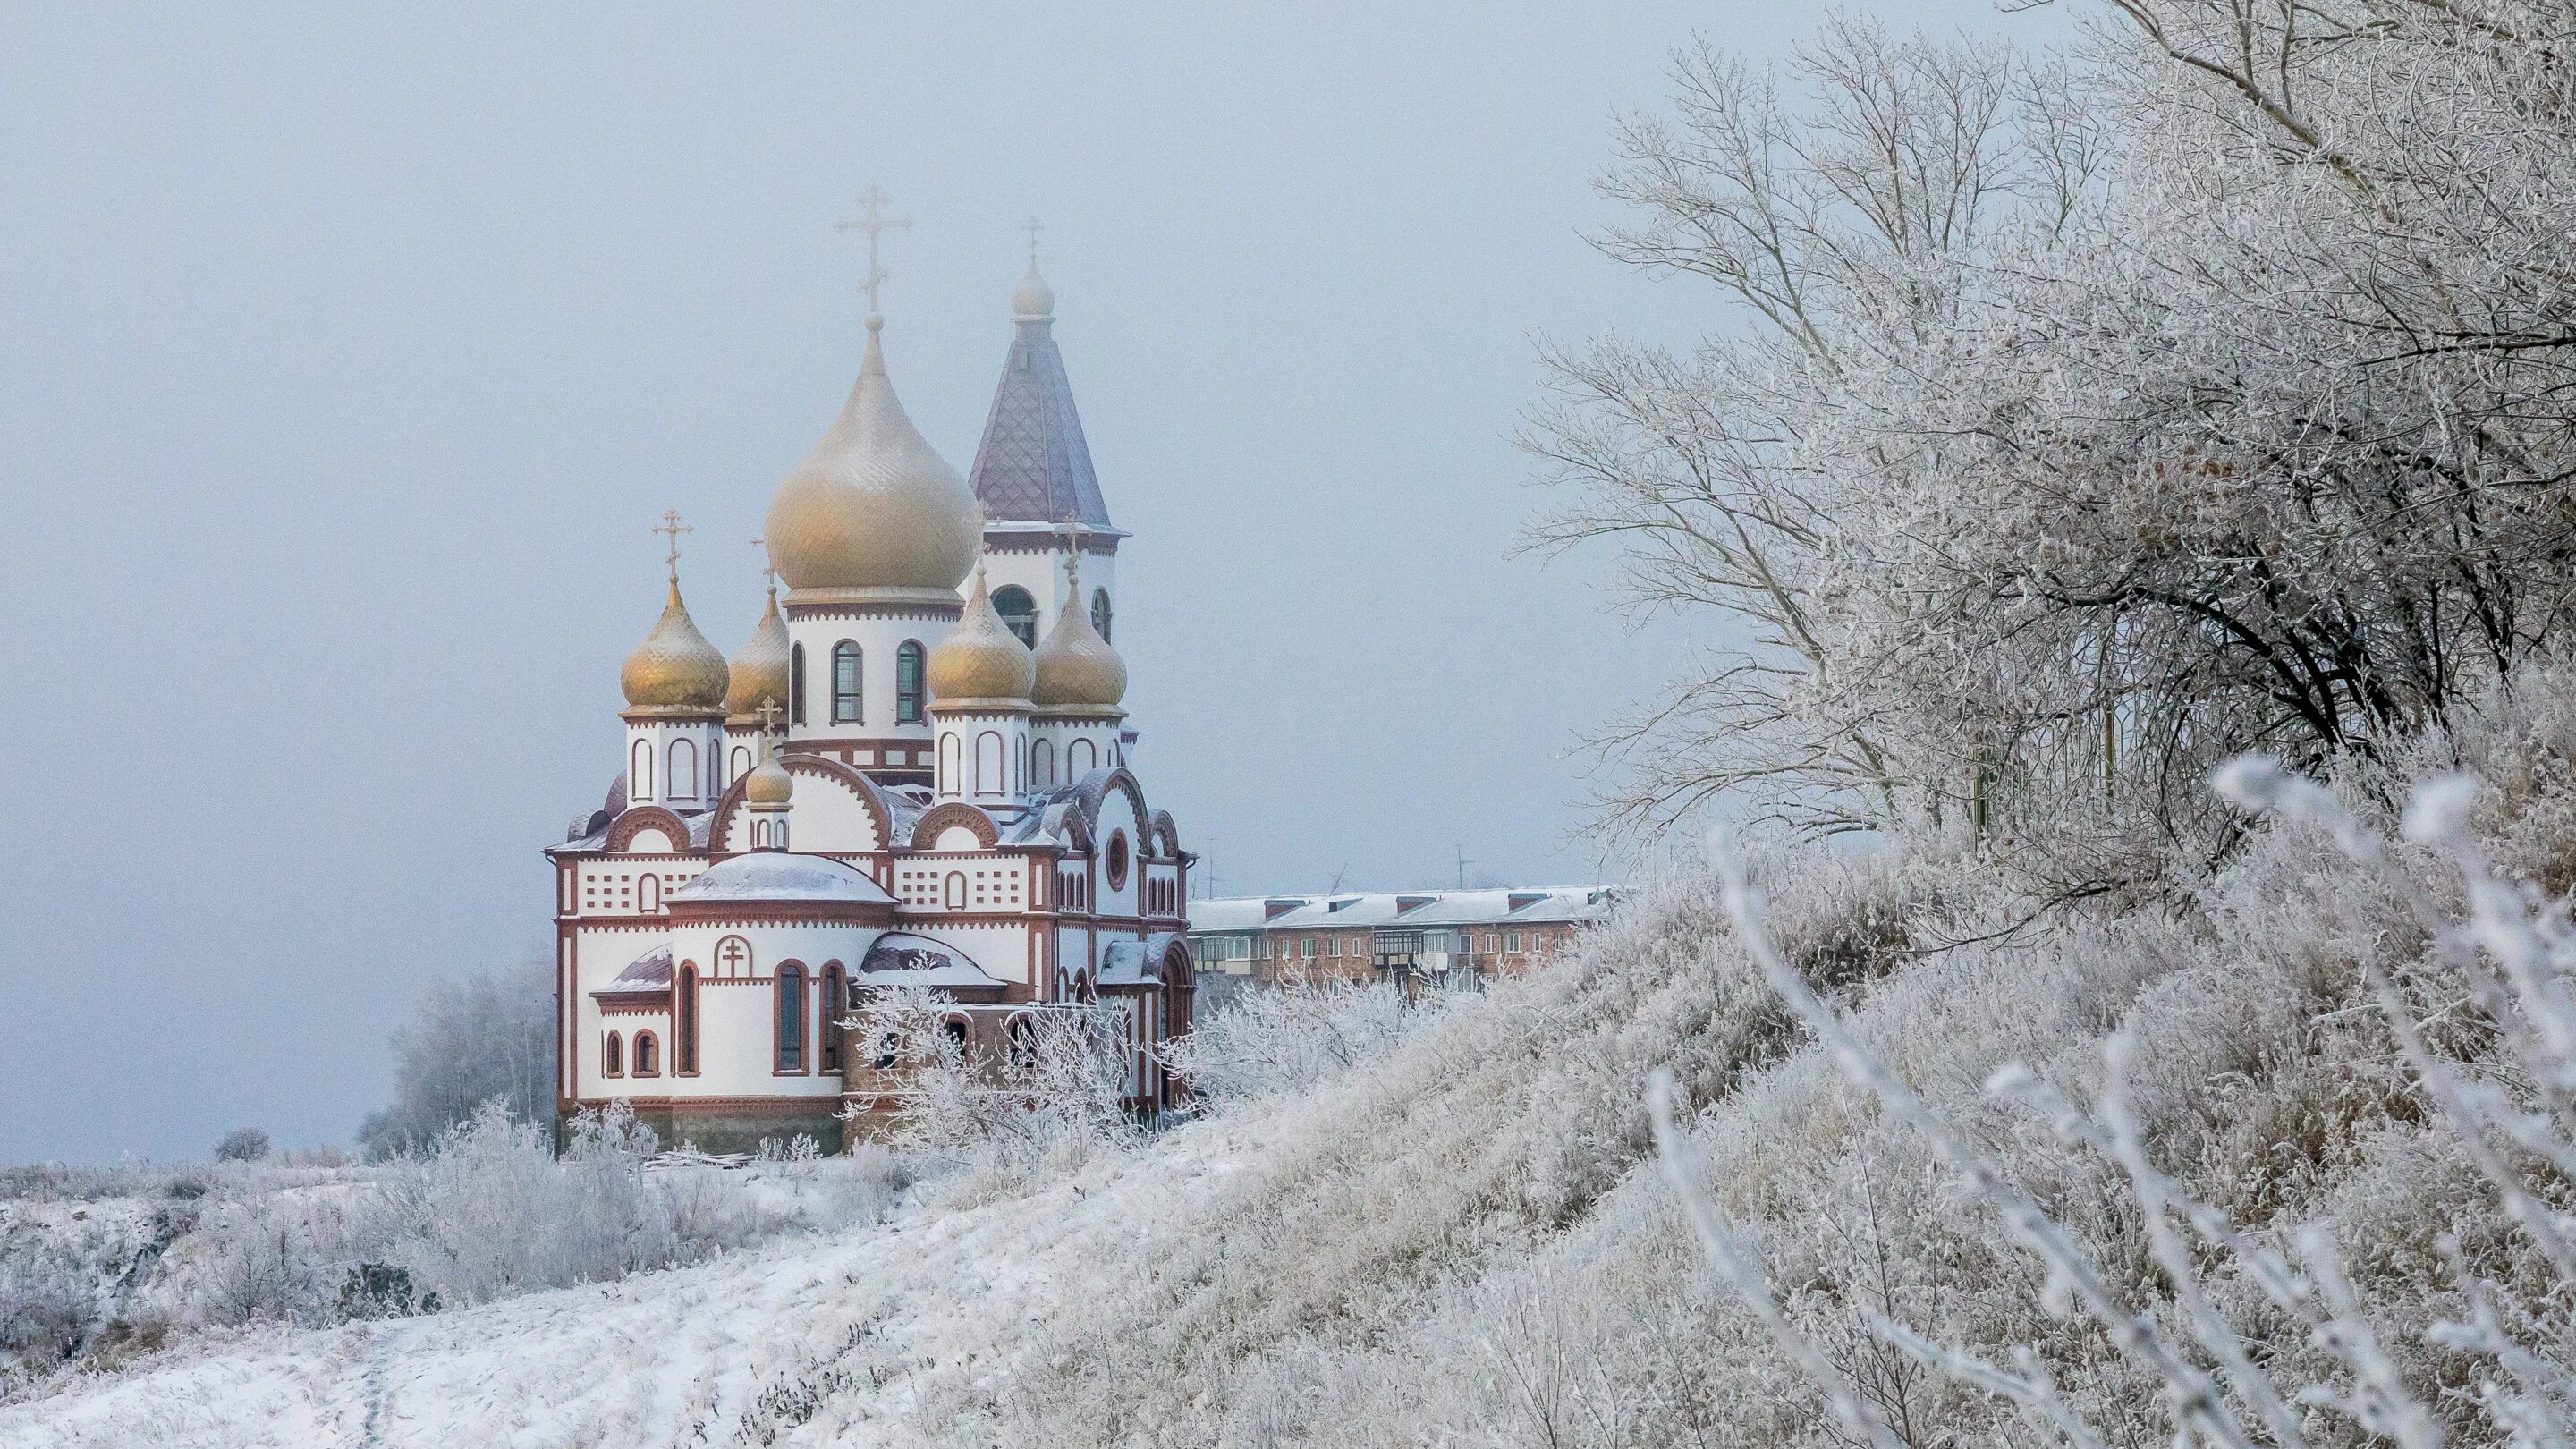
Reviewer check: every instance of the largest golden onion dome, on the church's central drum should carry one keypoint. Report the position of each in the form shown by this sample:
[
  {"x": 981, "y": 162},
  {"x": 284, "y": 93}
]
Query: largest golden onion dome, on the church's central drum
[{"x": 875, "y": 504}]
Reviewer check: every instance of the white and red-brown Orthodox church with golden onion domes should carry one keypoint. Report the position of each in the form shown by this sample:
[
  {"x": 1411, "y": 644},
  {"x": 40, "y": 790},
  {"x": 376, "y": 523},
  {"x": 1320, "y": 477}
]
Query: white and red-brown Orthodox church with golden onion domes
[{"x": 916, "y": 772}]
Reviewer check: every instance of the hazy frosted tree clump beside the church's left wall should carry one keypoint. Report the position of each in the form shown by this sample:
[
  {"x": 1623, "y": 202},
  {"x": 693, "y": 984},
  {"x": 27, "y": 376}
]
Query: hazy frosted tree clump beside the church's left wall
[{"x": 475, "y": 1040}]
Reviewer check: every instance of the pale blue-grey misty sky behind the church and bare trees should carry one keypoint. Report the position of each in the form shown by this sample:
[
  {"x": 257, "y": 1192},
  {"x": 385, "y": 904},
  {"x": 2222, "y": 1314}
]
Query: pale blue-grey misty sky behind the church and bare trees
[{"x": 349, "y": 352}]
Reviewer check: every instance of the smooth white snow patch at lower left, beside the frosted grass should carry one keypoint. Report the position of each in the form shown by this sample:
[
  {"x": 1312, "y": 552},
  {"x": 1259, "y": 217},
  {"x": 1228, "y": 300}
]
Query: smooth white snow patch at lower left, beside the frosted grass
[{"x": 694, "y": 1355}]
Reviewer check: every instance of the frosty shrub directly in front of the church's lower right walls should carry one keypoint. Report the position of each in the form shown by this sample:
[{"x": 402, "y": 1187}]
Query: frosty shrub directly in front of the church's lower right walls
[{"x": 1060, "y": 1087}]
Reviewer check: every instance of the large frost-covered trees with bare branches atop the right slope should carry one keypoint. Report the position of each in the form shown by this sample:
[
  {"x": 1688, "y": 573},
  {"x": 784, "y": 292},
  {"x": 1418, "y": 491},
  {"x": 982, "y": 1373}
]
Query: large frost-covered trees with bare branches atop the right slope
[{"x": 2085, "y": 422}]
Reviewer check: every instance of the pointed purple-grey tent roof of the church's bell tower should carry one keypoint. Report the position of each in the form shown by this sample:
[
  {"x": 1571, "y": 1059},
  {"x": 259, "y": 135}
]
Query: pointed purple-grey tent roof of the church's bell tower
[{"x": 1034, "y": 463}]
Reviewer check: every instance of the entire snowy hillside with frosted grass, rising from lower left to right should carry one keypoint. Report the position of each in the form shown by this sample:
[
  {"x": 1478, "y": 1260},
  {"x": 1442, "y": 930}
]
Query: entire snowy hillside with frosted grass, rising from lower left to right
[{"x": 1467, "y": 1239}]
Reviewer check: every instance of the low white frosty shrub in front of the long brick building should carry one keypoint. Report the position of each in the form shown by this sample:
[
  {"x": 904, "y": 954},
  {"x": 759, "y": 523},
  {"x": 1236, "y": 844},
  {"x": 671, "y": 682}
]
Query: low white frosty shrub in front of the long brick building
[{"x": 1289, "y": 1038}]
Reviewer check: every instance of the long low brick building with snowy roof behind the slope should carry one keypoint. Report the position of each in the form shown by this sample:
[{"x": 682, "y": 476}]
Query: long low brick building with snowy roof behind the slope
[{"x": 1441, "y": 935}]
